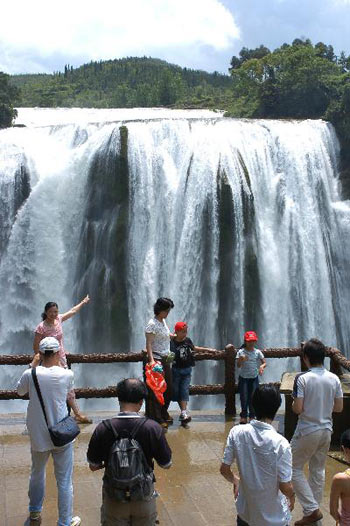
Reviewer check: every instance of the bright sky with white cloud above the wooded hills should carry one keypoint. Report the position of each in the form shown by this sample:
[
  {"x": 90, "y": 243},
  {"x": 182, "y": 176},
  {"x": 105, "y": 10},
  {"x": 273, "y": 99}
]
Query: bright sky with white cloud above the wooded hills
[{"x": 201, "y": 34}]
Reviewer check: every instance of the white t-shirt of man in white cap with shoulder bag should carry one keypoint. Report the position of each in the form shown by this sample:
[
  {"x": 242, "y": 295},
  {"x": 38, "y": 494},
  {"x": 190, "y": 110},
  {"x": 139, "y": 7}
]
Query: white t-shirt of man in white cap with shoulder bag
[{"x": 55, "y": 383}]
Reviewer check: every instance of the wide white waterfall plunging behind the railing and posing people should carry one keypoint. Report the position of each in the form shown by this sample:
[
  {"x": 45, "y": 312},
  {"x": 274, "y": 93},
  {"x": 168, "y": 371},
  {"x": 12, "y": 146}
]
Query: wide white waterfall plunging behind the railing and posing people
[{"x": 240, "y": 222}]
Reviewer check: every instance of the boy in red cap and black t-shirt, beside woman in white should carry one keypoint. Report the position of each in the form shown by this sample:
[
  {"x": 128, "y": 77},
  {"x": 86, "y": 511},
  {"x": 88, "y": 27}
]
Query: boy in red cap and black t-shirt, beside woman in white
[{"x": 183, "y": 348}]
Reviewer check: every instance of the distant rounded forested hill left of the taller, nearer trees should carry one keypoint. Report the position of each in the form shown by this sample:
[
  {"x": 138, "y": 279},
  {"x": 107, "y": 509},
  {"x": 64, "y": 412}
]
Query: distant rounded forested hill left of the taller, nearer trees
[{"x": 124, "y": 83}]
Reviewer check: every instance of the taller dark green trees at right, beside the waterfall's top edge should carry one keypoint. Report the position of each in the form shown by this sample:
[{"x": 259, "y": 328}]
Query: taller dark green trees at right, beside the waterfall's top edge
[{"x": 298, "y": 80}]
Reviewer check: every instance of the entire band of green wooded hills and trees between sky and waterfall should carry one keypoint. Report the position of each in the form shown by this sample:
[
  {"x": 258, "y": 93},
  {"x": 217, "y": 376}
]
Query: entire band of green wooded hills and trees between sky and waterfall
[{"x": 298, "y": 80}]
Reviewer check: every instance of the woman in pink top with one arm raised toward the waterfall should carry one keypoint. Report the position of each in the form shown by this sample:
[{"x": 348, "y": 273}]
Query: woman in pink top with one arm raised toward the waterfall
[{"x": 52, "y": 326}]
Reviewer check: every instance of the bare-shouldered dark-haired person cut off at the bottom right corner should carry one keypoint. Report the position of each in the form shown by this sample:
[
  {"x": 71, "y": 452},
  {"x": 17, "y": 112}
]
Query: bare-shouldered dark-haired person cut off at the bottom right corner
[{"x": 340, "y": 489}]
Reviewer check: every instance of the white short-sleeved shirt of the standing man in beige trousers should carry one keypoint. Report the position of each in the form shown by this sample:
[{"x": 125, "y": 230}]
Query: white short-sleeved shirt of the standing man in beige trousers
[{"x": 319, "y": 388}]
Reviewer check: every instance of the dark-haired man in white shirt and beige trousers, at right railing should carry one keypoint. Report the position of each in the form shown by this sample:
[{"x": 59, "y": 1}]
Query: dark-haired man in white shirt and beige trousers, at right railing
[{"x": 317, "y": 394}]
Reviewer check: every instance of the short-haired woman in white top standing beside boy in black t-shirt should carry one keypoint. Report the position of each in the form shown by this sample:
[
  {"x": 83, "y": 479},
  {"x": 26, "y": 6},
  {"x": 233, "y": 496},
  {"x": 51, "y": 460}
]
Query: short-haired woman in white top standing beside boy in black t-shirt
[{"x": 158, "y": 349}]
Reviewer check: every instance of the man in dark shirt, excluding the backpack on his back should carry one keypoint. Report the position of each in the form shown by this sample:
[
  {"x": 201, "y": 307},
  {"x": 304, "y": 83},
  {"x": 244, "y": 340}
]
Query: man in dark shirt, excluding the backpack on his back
[{"x": 150, "y": 436}]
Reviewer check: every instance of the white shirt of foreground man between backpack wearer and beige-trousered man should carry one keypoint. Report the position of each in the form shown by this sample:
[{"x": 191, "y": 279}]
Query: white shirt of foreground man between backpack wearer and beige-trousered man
[{"x": 264, "y": 459}]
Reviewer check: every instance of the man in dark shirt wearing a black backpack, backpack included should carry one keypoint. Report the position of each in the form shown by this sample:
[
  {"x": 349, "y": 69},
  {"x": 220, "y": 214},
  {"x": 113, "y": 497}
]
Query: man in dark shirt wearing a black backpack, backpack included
[{"x": 125, "y": 446}]
